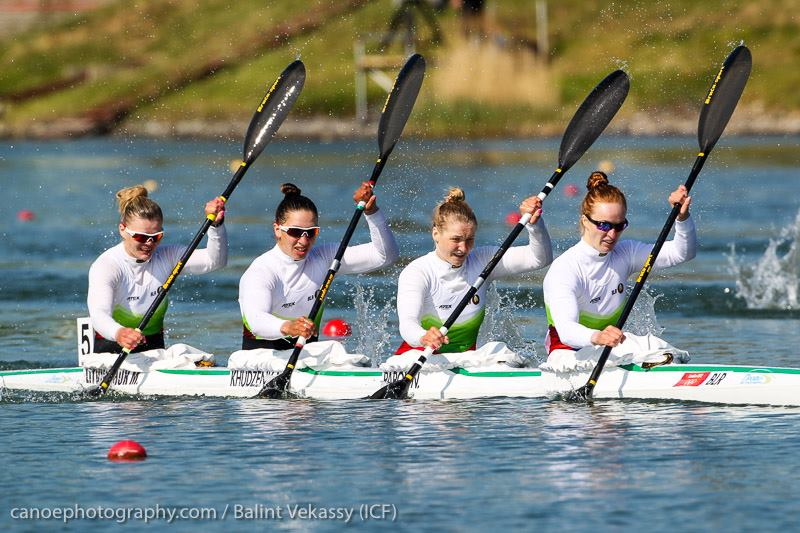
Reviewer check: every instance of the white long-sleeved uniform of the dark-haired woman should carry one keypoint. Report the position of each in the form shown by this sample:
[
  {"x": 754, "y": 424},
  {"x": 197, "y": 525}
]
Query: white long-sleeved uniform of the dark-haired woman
[{"x": 276, "y": 288}]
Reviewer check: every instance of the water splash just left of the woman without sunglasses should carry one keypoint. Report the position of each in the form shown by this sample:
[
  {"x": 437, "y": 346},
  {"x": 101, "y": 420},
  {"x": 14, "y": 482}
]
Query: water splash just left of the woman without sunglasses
[{"x": 371, "y": 330}]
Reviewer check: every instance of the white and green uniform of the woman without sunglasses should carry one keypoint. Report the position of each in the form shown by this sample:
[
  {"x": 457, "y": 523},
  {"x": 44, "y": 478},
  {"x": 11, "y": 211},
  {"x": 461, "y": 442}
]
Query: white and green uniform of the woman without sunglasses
[{"x": 429, "y": 288}]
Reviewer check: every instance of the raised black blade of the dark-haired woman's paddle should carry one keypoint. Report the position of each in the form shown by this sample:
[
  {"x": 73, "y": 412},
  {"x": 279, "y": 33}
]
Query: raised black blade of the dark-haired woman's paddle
[{"x": 399, "y": 103}]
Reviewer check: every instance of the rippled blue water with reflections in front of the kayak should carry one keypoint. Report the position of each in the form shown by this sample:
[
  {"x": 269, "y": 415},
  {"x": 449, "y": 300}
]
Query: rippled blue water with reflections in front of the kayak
[{"x": 474, "y": 464}]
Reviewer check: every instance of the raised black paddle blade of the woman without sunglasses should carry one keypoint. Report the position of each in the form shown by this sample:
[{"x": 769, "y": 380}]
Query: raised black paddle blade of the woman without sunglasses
[{"x": 592, "y": 117}]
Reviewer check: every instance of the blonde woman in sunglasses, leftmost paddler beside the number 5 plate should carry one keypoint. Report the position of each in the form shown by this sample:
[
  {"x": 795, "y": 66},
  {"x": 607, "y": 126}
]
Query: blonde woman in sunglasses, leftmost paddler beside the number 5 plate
[{"x": 125, "y": 279}]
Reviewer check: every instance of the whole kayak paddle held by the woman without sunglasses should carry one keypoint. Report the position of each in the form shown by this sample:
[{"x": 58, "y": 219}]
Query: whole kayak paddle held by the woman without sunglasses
[{"x": 589, "y": 121}]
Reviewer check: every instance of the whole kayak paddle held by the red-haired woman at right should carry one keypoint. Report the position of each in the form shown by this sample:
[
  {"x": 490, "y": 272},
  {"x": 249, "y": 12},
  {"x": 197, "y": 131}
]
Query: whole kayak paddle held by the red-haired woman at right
[{"x": 717, "y": 109}]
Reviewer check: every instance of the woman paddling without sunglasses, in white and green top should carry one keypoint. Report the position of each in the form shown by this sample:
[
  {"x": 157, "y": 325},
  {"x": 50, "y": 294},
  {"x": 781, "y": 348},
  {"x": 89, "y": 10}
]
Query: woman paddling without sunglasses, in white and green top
[{"x": 430, "y": 287}]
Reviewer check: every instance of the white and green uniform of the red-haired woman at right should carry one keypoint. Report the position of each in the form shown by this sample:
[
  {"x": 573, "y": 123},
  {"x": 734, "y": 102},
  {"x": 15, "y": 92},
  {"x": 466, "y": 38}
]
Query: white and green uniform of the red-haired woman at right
[{"x": 584, "y": 290}]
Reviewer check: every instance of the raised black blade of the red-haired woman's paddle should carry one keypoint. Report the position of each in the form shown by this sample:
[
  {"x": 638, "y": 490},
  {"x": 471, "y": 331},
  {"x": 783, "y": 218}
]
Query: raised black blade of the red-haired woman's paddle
[{"x": 723, "y": 96}]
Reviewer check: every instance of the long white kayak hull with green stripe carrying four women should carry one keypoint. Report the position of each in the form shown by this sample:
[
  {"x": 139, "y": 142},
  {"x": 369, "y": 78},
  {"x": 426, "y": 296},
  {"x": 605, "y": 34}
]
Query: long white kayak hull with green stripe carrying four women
[{"x": 724, "y": 384}]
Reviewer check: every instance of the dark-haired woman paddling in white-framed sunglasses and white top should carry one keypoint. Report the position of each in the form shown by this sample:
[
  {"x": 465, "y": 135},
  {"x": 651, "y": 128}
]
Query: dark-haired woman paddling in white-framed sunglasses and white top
[{"x": 277, "y": 291}]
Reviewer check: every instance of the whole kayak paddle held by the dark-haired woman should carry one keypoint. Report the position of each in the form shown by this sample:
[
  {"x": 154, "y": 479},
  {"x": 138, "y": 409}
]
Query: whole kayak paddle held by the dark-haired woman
[{"x": 394, "y": 116}]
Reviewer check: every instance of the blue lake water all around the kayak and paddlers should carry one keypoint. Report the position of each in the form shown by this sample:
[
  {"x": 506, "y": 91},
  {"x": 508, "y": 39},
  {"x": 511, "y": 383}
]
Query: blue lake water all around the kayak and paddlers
[{"x": 431, "y": 466}]
